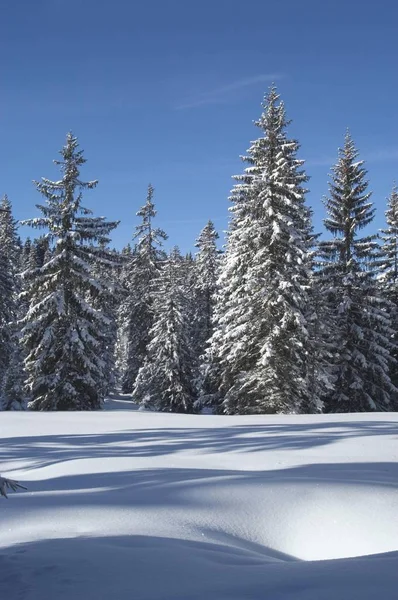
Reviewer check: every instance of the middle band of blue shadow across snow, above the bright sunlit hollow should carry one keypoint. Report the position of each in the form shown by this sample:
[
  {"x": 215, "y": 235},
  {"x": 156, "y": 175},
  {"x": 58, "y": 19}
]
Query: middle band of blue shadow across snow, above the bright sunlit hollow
[{"x": 141, "y": 486}]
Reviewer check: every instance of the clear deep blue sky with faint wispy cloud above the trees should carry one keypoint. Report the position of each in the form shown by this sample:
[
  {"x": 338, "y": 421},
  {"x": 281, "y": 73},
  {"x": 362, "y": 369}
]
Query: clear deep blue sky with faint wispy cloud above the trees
[{"x": 165, "y": 91}]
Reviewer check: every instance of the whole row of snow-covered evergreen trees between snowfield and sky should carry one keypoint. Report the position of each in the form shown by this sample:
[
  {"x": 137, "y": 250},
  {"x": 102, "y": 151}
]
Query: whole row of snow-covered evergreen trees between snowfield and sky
[{"x": 279, "y": 321}]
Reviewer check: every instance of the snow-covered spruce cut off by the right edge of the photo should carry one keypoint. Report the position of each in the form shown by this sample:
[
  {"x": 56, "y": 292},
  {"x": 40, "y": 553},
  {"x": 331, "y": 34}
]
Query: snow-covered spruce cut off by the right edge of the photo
[{"x": 388, "y": 274}]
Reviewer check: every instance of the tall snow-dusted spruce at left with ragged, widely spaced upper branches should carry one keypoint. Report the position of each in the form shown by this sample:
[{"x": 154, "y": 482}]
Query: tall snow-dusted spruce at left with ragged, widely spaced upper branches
[{"x": 63, "y": 331}]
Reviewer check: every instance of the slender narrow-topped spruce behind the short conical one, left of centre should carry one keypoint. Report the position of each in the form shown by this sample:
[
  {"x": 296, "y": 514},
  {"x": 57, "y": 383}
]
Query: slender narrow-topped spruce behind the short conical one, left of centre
[{"x": 142, "y": 270}]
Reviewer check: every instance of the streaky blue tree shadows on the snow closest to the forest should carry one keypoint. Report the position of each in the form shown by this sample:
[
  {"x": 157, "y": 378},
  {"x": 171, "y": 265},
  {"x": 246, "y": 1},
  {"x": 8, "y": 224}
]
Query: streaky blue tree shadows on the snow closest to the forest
[{"x": 44, "y": 450}]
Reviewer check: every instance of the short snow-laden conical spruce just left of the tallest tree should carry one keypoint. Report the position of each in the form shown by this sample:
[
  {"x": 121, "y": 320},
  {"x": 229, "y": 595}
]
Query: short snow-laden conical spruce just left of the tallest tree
[{"x": 165, "y": 381}]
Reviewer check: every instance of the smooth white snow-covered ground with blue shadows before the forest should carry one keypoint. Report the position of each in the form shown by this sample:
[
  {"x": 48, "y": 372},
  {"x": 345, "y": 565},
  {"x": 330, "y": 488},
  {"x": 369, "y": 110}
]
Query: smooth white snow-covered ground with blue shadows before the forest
[{"x": 127, "y": 504}]
